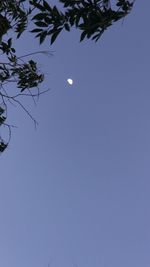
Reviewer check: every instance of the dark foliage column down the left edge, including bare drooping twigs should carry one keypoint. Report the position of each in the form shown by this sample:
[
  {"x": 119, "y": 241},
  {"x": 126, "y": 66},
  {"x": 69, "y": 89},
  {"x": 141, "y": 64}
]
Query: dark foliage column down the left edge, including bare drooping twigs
[{"x": 22, "y": 75}]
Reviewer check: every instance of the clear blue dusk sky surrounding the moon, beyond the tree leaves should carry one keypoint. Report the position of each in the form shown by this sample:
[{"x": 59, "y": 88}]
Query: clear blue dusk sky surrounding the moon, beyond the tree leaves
[{"x": 76, "y": 192}]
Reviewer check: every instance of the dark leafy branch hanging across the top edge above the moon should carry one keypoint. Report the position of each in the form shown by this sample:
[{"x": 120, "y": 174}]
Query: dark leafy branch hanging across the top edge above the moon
[{"x": 89, "y": 16}]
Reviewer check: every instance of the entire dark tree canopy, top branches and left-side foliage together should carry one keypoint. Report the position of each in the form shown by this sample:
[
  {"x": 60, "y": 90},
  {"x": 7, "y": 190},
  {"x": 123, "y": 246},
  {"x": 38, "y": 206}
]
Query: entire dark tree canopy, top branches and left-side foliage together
[{"x": 90, "y": 17}]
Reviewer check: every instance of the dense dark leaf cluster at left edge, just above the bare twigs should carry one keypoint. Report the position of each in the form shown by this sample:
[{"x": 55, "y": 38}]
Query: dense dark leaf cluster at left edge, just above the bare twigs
[{"x": 24, "y": 74}]
